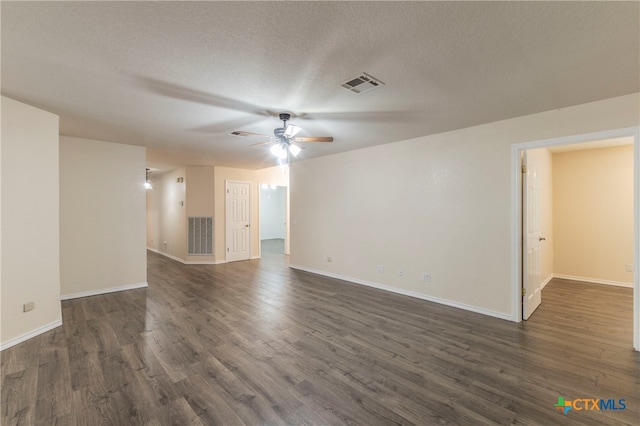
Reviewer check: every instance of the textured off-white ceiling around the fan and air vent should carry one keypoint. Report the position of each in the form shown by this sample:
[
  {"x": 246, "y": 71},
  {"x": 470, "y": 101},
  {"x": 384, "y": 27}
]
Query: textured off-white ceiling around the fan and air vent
[{"x": 180, "y": 76}]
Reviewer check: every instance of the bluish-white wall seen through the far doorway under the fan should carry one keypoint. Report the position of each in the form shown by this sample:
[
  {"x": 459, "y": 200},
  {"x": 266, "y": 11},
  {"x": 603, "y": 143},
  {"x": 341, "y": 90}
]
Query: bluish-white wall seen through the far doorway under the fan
[{"x": 272, "y": 212}]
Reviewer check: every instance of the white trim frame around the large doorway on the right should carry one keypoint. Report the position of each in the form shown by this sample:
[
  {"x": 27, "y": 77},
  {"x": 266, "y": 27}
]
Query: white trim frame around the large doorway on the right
[{"x": 516, "y": 214}]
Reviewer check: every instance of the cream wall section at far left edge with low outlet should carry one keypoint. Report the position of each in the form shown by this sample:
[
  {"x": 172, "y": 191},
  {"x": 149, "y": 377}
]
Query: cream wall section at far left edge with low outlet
[{"x": 30, "y": 270}]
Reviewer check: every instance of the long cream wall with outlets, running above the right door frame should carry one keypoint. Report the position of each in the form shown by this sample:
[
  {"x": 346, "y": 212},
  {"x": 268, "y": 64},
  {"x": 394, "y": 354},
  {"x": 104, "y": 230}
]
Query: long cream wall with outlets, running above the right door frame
[{"x": 440, "y": 204}]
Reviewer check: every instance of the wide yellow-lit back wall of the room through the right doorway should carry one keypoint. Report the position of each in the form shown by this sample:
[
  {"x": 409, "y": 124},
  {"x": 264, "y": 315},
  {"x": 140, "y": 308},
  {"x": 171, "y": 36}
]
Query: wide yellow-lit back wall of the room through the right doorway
[{"x": 593, "y": 199}]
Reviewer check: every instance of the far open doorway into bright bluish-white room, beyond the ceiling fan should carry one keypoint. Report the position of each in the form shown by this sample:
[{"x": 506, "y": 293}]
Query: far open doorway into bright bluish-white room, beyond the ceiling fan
[{"x": 273, "y": 219}]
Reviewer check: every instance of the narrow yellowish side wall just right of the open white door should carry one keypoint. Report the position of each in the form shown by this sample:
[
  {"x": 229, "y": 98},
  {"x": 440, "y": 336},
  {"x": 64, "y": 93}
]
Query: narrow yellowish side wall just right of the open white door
[{"x": 544, "y": 158}]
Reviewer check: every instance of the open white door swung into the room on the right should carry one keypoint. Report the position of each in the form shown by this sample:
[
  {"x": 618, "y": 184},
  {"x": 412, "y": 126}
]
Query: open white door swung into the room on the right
[{"x": 531, "y": 257}]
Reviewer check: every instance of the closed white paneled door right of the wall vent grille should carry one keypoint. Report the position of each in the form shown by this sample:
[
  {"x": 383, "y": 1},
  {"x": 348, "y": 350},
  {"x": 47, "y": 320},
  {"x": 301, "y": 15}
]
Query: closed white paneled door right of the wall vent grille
[{"x": 238, "y": 220}]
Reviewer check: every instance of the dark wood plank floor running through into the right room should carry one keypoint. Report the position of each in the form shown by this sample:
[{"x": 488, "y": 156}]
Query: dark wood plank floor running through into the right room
[{"x": 258, "y": 343}]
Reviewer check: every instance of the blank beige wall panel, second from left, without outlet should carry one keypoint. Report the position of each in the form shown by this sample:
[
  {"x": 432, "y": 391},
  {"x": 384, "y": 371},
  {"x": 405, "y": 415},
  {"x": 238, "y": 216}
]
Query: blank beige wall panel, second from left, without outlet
[{"x": 102, "y": 217}]
